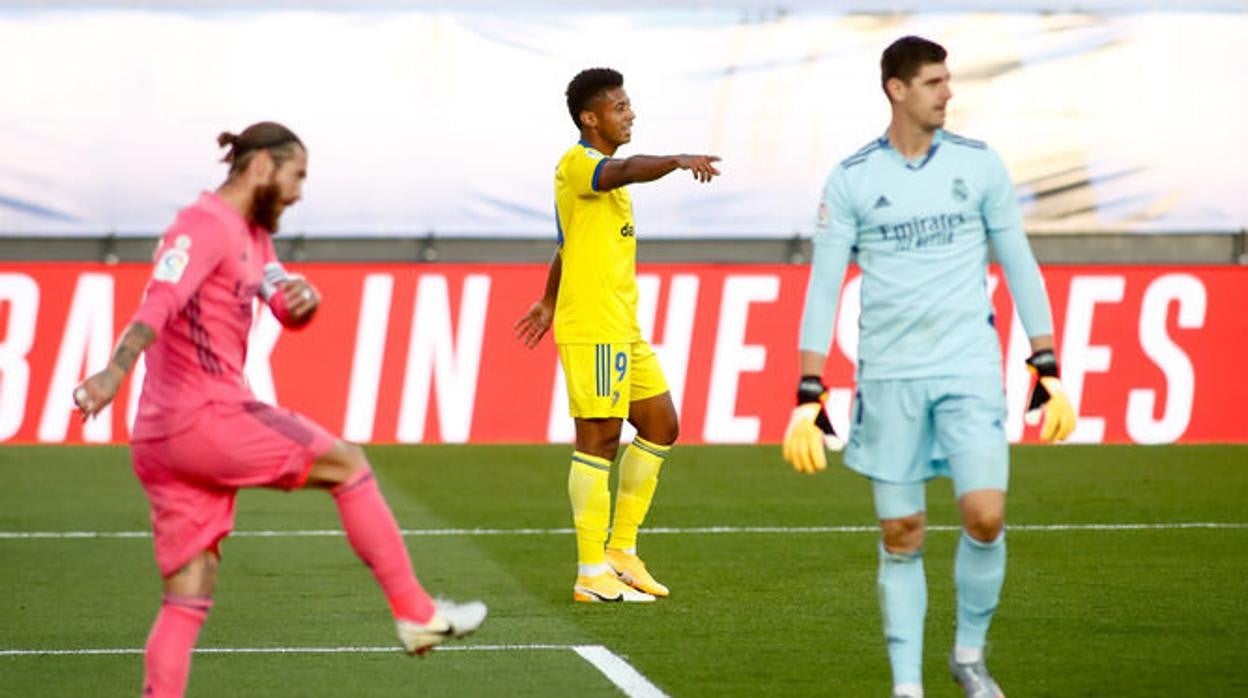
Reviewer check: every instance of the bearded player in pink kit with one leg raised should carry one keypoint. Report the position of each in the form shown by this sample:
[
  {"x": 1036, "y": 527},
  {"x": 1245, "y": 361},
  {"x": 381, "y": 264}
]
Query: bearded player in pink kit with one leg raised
[{"x": 202, "y": 435}]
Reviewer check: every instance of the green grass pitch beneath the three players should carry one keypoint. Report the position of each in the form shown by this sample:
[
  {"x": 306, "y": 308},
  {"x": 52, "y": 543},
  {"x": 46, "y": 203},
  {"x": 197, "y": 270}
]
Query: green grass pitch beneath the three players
[{"x": 1086, "y": 611}]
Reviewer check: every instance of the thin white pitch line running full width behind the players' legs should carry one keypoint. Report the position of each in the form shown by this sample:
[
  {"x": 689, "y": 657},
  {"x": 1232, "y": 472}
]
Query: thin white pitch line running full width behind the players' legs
[{"x": 686, "y": 531}]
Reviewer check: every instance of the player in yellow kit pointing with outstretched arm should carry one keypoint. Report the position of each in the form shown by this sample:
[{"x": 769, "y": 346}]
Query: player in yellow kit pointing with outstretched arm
[{"x": 612, "y": 373}]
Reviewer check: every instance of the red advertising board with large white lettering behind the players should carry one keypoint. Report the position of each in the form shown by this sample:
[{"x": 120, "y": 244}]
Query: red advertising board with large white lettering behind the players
[{"x": 422, "y": 354}]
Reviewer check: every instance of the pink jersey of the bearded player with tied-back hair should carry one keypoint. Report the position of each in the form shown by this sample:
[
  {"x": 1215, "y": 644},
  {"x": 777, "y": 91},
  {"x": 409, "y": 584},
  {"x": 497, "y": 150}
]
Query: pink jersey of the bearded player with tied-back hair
[{"x": 210, "y": 267}]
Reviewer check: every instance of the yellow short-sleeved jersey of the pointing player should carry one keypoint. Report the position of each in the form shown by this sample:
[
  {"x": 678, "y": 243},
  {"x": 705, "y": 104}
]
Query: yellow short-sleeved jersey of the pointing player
[{"x": 598, "y": 248}]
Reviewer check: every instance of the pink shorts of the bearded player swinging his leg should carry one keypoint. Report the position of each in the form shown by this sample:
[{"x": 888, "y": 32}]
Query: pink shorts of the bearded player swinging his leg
[{"x": 193, "y": 476}]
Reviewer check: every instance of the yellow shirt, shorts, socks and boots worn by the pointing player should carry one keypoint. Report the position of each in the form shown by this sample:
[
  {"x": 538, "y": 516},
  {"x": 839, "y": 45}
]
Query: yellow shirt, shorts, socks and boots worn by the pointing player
[{"x": 606, "y": 364}]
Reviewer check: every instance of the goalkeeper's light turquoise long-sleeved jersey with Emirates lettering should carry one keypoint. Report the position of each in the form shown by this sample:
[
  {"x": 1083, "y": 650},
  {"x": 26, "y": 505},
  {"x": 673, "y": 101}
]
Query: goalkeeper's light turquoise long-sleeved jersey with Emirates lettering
[{"x": 920, "y": 232}]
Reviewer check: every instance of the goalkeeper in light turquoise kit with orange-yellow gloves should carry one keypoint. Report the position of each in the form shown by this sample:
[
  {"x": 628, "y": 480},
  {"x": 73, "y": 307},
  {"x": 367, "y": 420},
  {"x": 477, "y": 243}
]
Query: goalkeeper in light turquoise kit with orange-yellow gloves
[{"x": 919, "y": 208}]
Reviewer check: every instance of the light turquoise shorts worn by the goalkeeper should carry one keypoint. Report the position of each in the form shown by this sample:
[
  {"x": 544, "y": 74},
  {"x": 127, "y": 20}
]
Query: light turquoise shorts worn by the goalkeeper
[{"x": 909, "y": 431}]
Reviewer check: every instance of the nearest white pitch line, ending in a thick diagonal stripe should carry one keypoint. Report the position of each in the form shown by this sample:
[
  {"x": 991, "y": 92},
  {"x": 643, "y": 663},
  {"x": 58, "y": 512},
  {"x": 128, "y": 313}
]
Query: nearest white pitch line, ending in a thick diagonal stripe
[{"x": 612, "y": 666}]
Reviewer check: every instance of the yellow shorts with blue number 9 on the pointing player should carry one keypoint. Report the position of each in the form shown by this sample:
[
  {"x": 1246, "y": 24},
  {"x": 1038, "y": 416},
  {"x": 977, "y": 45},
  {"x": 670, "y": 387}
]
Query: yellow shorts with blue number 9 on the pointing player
[{"x": 605, "y": 379}]
